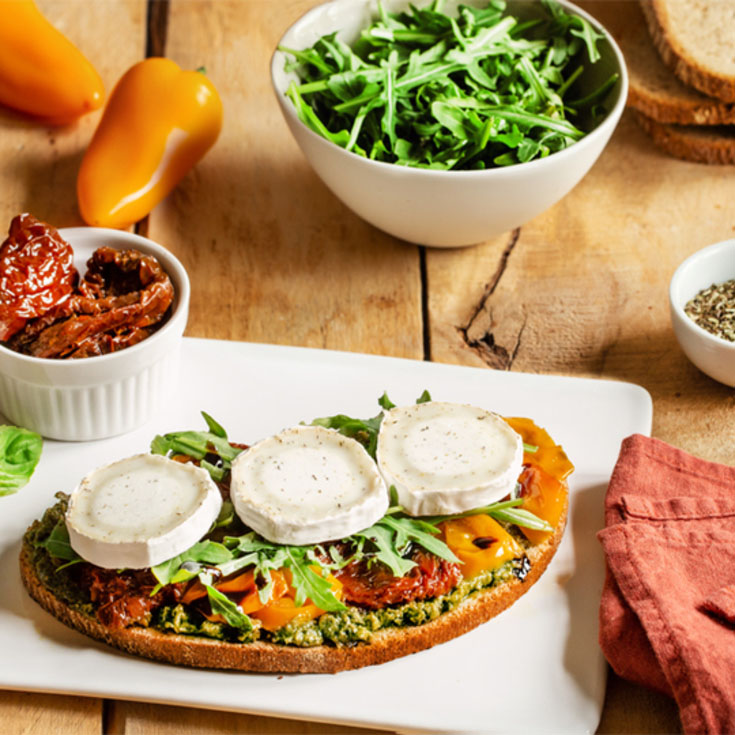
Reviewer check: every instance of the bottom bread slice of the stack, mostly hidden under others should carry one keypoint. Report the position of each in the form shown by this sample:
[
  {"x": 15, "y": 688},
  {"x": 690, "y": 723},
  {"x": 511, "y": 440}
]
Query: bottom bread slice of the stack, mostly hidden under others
[{"x": 704, "y": 144}]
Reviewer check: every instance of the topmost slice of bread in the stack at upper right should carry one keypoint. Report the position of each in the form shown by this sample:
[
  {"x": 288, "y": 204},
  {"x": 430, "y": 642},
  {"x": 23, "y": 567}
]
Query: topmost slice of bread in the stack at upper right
[{"x": 696, "y": 39}]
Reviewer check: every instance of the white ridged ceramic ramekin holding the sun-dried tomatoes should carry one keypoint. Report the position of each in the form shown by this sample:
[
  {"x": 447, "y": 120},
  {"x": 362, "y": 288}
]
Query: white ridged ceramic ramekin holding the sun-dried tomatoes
[{"x": 102, "y": 396}]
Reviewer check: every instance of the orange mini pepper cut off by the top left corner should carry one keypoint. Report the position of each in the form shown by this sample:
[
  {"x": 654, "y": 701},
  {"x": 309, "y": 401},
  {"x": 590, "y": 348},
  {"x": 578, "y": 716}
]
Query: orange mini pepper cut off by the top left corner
[{"x": 42, "y": 73}]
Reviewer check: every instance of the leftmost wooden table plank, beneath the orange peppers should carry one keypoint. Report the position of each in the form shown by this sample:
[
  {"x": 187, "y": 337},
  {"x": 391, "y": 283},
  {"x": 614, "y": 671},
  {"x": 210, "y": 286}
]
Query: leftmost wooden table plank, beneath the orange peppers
[{"x": 38, "y": 175}]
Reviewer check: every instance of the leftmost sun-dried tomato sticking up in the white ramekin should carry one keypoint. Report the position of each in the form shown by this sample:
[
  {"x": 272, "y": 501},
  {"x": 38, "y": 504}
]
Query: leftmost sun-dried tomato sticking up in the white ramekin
[{"x": 36, "y": 273}]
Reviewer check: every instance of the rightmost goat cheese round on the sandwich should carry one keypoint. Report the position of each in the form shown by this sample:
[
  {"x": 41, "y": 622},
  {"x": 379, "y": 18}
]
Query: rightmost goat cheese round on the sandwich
[{"x": 446, "y": 458}]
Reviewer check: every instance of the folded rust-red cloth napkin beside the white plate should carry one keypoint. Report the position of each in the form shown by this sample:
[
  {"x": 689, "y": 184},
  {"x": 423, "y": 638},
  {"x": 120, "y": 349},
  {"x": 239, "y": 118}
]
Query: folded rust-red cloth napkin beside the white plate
[{"x": 667, "y": 614}]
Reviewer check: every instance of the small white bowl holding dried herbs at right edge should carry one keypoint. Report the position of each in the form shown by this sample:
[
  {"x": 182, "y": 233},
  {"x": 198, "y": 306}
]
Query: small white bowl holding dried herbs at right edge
[{"x": 712, "y": 355}]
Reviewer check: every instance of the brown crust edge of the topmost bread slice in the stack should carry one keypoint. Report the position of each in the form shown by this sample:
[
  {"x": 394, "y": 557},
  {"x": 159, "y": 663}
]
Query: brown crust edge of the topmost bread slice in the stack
[{"x": 675, "y": 55}]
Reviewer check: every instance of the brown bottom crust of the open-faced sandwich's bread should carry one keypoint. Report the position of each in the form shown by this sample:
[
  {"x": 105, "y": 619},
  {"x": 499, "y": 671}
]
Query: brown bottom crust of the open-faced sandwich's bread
[{"x": 388, "y": 644}]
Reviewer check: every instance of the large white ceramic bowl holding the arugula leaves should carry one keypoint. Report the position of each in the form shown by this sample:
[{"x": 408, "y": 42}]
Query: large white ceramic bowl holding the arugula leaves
[{"x": 442, "y": 208}]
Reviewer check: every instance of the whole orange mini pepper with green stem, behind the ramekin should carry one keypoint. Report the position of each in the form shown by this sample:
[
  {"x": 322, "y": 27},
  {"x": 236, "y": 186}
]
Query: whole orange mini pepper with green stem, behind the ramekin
[{"x": 158, "y": 122}]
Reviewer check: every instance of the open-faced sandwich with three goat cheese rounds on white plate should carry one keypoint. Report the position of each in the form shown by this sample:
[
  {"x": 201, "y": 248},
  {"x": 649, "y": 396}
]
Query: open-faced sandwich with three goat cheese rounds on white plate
[{"x": 329, "y": 546}]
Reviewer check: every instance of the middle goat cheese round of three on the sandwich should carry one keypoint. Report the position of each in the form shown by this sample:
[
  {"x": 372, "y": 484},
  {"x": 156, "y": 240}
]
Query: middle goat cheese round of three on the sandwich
[{"x": 306, "y": 485}]
